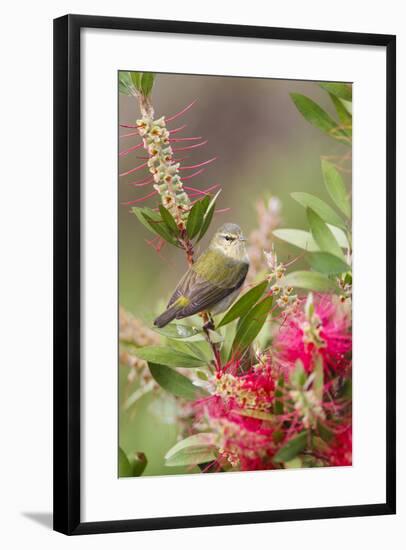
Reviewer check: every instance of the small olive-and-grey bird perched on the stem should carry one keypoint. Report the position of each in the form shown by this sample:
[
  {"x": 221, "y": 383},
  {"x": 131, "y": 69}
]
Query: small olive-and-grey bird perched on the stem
[{"x": 214, "y": 281}]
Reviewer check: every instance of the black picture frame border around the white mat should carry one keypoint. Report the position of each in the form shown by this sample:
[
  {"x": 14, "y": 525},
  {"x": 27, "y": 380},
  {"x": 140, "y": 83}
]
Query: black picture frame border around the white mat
[{"x": 67, "y": 294}]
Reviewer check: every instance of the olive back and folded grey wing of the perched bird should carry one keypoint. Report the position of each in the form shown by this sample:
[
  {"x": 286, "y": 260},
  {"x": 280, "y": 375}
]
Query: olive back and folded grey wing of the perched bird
[{"x": 203, "y": 287}]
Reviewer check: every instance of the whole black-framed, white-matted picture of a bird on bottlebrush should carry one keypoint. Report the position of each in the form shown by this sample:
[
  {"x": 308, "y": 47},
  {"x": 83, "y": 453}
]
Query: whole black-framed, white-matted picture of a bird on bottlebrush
[{"x": 224, "y": 303}]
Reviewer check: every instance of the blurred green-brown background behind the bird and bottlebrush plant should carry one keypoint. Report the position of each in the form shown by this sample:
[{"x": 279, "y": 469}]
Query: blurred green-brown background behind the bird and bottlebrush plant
[{"x": 263, "y": 147}]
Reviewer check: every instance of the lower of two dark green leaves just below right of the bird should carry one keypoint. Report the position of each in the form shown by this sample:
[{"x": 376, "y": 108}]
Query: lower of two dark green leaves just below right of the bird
[{"x": 251, "y": 325}]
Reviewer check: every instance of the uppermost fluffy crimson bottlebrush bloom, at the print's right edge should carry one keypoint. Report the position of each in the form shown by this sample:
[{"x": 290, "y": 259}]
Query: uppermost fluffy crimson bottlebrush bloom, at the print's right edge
[{"x": 327, "y": 331}]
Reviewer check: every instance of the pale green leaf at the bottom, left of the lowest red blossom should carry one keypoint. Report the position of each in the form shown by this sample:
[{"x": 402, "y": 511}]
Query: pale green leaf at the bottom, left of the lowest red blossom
[{"x": 193, "y": 450}]
